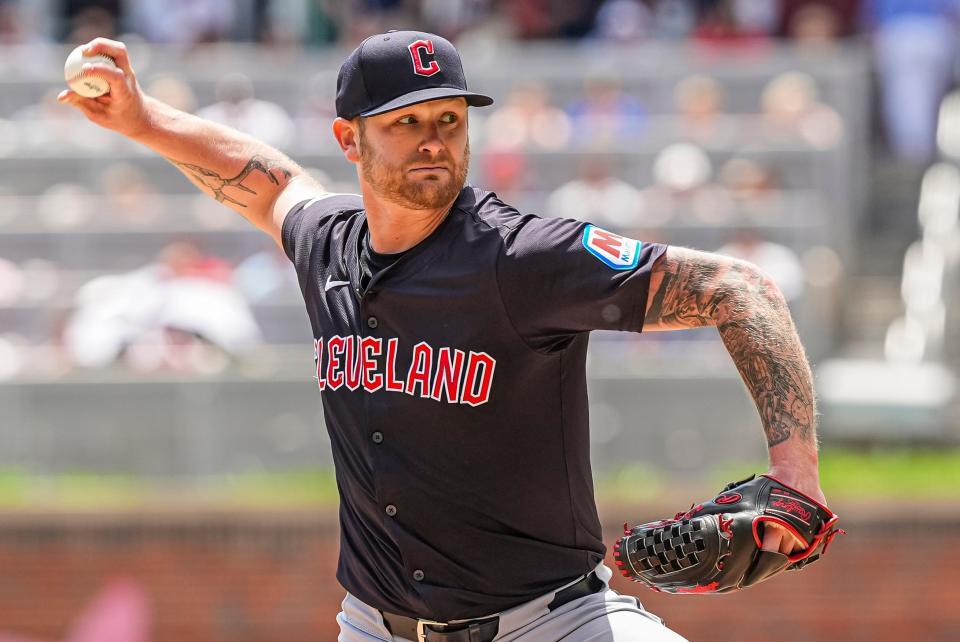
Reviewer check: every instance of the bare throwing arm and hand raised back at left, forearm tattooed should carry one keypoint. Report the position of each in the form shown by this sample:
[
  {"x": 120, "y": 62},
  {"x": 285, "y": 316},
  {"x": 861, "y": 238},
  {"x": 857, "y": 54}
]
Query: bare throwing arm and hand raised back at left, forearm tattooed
[{"x": 250, "y": 177}]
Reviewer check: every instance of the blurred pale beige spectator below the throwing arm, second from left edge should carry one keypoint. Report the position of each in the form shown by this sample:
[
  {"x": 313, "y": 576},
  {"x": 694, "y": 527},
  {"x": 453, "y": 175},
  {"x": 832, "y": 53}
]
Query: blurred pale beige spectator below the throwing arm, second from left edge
[{"x": 129, "y": 197}]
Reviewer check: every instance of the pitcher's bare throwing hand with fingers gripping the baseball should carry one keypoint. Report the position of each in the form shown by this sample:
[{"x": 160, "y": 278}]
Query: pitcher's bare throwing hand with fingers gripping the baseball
[{"x": 121, "y": 108}]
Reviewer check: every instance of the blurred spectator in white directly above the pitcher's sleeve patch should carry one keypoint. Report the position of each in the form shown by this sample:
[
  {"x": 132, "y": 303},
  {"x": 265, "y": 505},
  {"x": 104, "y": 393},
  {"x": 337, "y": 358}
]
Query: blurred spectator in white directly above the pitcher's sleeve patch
[{"x": 599, "y": 197}]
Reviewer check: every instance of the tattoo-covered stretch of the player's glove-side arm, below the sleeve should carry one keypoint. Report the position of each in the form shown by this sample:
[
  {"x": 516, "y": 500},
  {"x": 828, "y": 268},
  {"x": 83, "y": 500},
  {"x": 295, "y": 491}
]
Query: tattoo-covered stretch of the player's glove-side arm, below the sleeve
[{"x": 694, "y": 289}]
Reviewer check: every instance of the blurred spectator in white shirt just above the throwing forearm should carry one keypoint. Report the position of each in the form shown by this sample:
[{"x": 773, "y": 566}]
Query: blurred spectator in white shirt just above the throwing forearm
[{"x": 237, "y": 107}]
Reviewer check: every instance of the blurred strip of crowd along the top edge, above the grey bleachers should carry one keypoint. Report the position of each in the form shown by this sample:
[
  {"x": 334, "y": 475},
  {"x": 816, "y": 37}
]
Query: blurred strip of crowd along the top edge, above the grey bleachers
[{"x": 324, "y": 22}]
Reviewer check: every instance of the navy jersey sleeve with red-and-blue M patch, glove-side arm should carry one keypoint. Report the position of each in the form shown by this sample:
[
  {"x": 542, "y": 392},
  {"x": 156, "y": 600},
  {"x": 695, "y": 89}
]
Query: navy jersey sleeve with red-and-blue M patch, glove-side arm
[{"x": 559, "y": 277}]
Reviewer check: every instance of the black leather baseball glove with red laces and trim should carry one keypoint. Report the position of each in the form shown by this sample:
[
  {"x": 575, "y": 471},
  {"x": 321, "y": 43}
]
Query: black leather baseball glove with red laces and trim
[{"x": 715, "y": 546}]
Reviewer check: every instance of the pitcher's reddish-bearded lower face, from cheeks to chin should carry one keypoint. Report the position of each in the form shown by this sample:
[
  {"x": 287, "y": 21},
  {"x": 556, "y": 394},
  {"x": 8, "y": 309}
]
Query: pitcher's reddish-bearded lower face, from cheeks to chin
[{"x": 396, "y": 177}]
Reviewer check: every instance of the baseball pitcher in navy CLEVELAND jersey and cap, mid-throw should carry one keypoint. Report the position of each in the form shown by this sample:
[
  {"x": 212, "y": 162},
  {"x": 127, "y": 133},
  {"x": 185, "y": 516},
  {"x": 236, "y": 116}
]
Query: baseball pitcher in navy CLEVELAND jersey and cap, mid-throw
[{"x": 450, "y": 335}]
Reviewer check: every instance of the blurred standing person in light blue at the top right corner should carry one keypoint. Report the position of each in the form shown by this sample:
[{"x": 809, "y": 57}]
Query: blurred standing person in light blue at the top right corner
[{"x": 915, "y": 47}]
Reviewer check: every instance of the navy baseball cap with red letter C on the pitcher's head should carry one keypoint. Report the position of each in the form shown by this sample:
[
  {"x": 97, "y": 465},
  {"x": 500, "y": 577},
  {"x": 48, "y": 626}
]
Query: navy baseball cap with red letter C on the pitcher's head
[{"x": 401, "y": 68}]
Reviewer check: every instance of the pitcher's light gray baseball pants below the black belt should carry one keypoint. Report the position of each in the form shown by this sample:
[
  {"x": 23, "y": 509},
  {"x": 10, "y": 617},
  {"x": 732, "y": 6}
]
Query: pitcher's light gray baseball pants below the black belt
[{"x": 605, "y": 616}]
